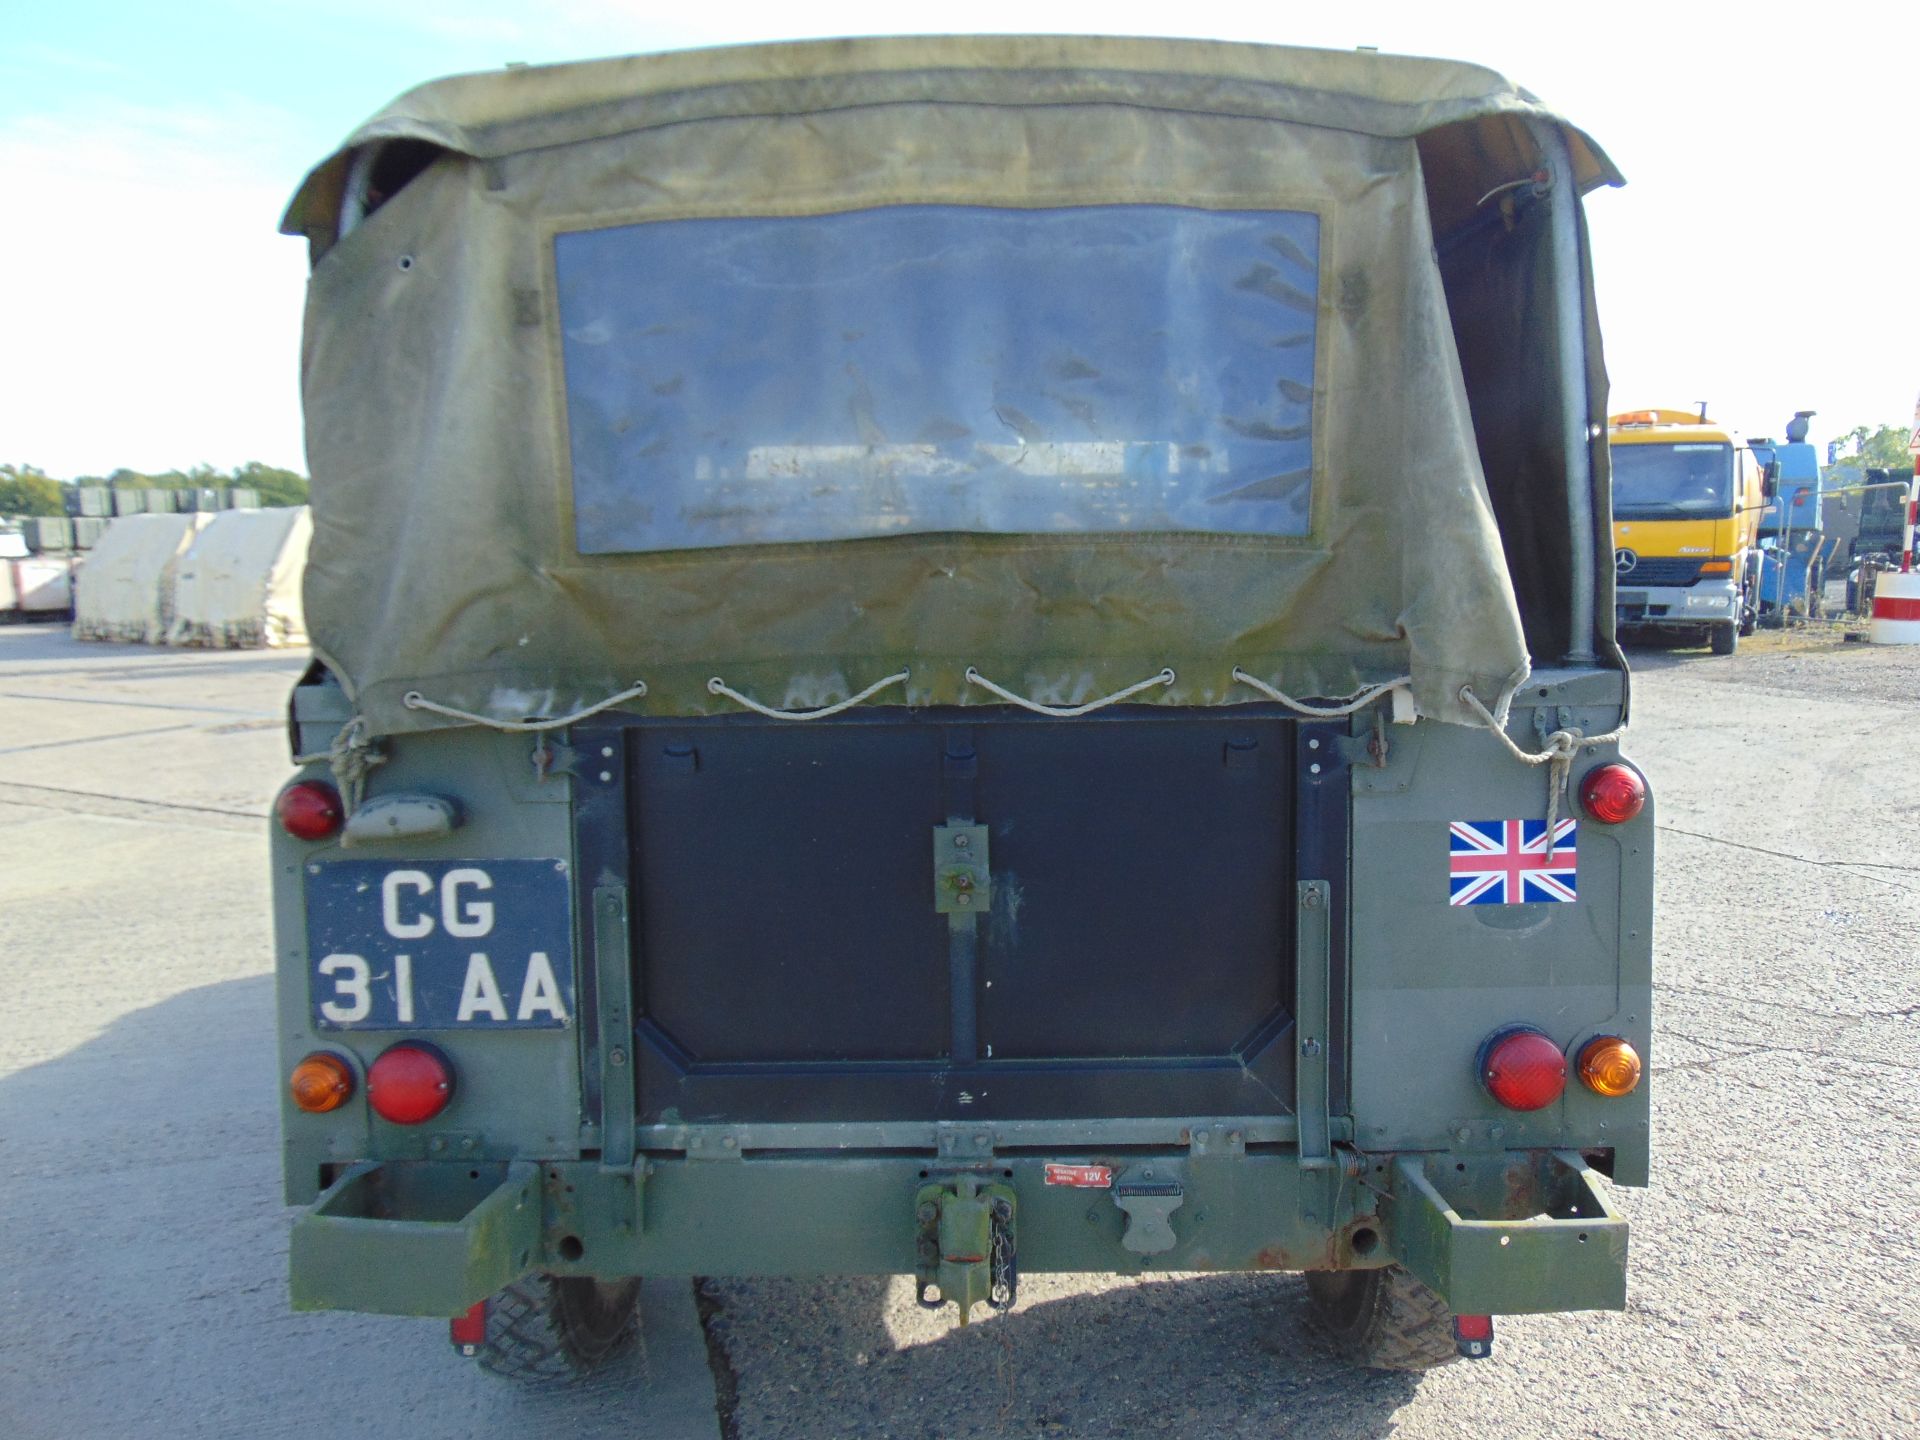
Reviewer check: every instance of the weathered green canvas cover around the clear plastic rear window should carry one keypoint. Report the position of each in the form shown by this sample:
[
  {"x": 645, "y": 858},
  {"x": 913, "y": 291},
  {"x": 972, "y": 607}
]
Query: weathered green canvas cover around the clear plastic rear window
[{"x": 446, "y": 418}]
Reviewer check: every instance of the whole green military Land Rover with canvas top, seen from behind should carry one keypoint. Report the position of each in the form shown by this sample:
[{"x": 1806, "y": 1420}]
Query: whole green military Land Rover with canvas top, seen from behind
[{"x": 961, "y": 658}]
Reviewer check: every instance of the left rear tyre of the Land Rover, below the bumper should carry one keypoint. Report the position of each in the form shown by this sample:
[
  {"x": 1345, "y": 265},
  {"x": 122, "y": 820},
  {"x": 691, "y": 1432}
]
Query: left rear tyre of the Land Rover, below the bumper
[{"x": 554, "y": 1330}]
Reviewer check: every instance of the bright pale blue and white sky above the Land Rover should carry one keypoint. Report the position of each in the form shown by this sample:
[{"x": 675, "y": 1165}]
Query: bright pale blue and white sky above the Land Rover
[{"x": 153, "y": 316}]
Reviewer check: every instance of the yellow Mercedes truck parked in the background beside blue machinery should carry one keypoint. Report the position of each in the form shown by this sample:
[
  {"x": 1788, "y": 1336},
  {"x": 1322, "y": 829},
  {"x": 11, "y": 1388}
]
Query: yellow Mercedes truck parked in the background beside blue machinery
[{"x": 1687, "y": 512}]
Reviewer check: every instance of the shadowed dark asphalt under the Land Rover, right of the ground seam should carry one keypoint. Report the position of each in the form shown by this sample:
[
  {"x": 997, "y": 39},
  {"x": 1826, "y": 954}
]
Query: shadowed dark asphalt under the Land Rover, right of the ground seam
[{"x": 1182, "y": 1356}]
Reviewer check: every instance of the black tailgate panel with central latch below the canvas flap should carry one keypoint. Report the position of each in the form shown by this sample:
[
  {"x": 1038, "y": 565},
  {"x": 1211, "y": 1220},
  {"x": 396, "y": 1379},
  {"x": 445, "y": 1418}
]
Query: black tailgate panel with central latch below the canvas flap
[{"x": 1130, "y": 948}]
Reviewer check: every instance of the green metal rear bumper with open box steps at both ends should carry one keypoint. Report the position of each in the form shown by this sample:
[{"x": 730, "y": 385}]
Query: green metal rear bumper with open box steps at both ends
[{"x": 1502, "y": 1234}]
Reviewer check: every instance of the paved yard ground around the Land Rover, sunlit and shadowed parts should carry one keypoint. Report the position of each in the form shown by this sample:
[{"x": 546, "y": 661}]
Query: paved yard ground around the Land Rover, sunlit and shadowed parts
[{"x": 143, "y": 1243}]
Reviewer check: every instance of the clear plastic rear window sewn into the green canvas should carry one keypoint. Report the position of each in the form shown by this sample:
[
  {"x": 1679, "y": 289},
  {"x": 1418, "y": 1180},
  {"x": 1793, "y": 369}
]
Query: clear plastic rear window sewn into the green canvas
[{"x": 940, "y": 370}]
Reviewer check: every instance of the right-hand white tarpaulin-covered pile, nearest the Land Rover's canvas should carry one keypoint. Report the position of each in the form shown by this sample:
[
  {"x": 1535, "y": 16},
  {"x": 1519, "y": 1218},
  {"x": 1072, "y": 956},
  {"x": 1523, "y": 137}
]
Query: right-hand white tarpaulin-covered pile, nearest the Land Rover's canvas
[{"x": 239, "y": 587}]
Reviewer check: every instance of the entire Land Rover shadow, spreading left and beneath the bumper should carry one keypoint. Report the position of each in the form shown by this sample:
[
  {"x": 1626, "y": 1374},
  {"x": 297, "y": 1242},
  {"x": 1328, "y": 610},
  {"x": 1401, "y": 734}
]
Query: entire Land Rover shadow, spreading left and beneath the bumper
[{"x": 147, "y": 1241}]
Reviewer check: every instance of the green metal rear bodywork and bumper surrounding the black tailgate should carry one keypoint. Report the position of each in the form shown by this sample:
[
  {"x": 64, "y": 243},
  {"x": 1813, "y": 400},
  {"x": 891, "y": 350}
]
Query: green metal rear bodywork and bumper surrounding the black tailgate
[{"x": 1493, "y": 1209}]
